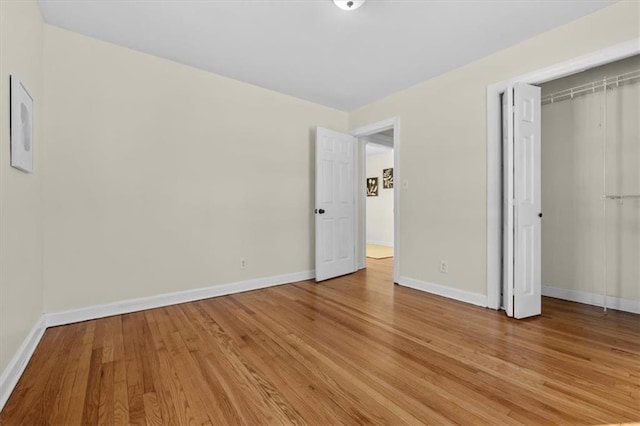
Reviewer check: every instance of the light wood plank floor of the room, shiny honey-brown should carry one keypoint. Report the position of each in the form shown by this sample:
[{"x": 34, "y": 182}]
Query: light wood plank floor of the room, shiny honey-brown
[{"x": 352, "y": 350}]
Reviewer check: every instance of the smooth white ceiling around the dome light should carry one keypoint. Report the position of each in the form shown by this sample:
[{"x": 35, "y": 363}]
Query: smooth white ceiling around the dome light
[{"x": 312, "y": 50}]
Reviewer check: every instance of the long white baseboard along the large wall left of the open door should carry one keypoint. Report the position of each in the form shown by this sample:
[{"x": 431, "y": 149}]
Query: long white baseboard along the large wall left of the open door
[{"x": 134, "y": 305}]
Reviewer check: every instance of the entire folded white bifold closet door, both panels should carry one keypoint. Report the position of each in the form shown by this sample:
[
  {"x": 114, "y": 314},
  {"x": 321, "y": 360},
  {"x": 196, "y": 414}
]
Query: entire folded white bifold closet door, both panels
[{"x": 522, "y": 264}]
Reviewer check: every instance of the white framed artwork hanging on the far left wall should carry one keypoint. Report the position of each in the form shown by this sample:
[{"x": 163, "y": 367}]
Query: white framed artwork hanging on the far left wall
[{"x": 21, "y": 127}]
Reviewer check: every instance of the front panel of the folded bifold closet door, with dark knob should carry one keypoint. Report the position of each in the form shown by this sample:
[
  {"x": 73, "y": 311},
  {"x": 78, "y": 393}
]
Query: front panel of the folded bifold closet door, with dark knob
[{"x": 528, "y": 201}]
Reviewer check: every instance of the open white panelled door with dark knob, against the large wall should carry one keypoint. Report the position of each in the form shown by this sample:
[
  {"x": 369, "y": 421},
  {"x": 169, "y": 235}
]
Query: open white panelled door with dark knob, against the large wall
[{"x": 335, "y": 204}]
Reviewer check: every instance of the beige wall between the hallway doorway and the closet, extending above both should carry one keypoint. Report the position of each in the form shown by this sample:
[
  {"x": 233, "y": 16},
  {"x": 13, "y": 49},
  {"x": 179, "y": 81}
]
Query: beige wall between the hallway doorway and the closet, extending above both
[{"x": 443, "y": 212}]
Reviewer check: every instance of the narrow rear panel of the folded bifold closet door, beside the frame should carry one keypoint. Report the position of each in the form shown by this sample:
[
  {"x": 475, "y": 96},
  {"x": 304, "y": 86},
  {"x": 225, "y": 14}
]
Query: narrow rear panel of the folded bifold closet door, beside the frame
[{"x": 508, "y": 198}]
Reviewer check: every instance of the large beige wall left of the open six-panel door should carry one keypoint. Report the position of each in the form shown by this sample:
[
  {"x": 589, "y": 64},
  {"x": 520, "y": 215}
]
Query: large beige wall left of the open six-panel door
[{"x": 160, "y": 177}]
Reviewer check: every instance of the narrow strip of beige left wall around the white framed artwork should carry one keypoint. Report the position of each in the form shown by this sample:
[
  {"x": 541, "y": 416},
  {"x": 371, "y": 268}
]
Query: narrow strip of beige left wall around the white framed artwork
[{"x": 21, "y": 293}]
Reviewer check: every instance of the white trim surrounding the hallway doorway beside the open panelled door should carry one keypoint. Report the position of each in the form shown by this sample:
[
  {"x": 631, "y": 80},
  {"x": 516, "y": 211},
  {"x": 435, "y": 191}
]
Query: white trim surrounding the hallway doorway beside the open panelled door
[{"x": 380, "y": 126}]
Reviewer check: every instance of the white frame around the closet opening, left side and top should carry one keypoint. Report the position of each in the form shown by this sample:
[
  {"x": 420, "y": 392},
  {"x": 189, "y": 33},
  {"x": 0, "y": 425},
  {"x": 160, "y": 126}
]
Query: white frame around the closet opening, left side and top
[{"x": 494, "y": 147}]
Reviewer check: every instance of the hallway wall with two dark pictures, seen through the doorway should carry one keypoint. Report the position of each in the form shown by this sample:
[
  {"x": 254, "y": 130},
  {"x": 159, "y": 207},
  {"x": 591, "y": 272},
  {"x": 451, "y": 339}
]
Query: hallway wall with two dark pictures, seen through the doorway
[{"x": 380, "y": 208}]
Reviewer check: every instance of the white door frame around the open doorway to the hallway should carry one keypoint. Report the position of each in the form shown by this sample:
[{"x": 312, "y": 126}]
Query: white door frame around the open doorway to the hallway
[{"x": 370, "y": 129}]
